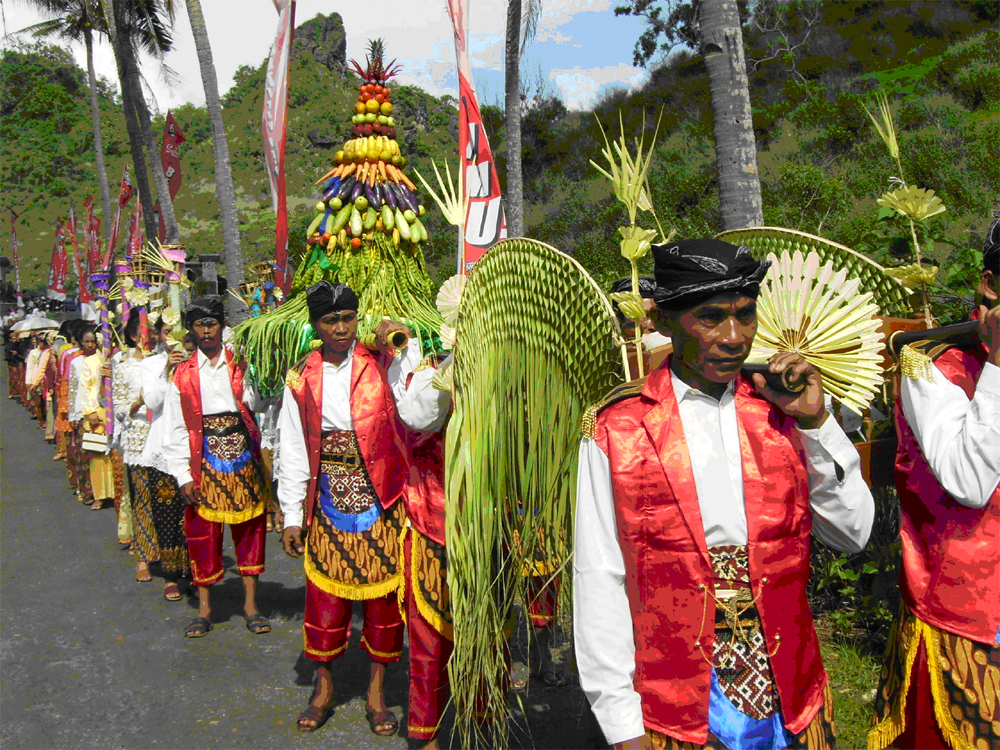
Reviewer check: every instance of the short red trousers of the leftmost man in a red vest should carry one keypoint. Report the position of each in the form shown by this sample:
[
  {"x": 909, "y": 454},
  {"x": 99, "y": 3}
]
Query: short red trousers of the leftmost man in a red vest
[{"x": 204, "y": 540}]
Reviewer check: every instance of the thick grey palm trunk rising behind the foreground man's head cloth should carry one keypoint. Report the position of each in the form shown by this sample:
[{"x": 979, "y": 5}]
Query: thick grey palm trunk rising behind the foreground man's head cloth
[{"x": 732, "y": 123}]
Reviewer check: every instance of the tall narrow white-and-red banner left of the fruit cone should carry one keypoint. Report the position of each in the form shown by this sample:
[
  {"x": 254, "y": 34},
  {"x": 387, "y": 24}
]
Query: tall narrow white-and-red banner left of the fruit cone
[{"x": 274, "y": 127}]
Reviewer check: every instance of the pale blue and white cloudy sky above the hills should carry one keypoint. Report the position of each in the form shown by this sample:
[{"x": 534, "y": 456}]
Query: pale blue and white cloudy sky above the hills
[{"x": 580, "y": 49}]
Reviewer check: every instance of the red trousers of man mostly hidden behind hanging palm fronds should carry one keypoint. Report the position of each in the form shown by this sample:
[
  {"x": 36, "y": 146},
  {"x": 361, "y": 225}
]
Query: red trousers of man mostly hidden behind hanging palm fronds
[{"x": 429, "y": 654}]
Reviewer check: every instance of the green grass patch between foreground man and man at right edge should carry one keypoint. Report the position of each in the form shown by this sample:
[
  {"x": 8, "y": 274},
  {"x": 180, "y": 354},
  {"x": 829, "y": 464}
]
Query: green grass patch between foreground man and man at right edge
[{"x": 854, "y": 673}]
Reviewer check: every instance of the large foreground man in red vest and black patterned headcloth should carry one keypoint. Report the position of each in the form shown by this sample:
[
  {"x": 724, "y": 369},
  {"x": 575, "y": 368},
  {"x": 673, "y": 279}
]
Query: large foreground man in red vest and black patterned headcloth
[{"x": 697, "y": 494}]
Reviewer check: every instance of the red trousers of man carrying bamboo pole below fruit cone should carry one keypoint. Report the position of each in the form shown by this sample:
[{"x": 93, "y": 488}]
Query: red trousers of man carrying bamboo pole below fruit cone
[{"x": 327, "y": 626}]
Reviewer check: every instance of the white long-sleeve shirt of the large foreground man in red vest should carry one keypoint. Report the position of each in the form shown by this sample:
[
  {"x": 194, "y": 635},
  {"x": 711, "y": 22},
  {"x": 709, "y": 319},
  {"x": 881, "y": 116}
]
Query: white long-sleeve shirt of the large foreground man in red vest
[{"x": 842, "y": 511}]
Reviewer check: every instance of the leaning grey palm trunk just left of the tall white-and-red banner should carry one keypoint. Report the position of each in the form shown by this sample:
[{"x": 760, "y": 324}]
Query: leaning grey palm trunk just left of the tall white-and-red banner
[{"x": 224, "y": 190}]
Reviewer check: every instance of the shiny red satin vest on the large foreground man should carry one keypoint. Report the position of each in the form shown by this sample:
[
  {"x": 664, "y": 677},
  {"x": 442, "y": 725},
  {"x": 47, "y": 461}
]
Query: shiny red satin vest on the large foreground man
[{"x": 667, "y": 564}]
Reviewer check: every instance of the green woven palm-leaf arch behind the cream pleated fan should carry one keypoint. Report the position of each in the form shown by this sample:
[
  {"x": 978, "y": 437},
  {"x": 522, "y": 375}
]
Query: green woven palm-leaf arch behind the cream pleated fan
[{"x": 889, "y": 294}]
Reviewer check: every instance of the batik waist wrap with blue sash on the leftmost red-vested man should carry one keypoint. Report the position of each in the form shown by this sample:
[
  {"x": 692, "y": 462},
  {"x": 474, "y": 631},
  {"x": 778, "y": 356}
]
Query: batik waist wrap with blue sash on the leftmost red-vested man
[{"x": 232, "y": 486}]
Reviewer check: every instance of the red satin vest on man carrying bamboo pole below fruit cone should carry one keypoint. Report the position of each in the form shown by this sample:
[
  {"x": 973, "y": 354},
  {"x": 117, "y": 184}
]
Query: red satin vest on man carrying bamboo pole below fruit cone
[{"x": 373, "y": 411}]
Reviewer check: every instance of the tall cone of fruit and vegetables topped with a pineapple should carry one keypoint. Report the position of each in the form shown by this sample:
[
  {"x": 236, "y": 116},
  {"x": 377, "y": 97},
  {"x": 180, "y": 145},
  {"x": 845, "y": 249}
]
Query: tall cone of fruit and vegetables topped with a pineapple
[{"x": 366, "y": 233}]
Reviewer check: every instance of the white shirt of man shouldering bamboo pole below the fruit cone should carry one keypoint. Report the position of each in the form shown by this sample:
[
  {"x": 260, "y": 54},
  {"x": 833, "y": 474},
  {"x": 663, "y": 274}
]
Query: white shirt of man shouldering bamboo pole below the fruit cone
[{"x": 293, "y": 470}]
